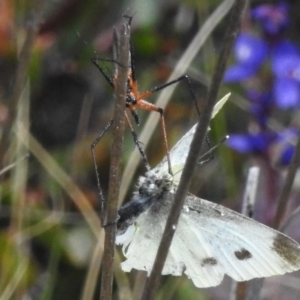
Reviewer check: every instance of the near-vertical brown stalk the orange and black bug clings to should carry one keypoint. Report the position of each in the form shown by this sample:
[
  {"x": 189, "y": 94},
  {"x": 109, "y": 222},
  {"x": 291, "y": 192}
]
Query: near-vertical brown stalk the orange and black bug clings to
[{"x": 115, "y": 167}]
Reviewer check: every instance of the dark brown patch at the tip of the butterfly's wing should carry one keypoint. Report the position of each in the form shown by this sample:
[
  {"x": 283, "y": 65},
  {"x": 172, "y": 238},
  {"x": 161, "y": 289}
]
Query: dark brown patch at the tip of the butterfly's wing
[{"x": 287, "y": 249}]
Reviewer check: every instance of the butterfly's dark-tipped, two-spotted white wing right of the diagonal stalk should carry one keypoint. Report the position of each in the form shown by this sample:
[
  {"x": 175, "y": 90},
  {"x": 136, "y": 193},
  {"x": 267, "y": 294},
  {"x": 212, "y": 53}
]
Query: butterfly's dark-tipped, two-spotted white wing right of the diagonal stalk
[{"x": 222, "y": 241}]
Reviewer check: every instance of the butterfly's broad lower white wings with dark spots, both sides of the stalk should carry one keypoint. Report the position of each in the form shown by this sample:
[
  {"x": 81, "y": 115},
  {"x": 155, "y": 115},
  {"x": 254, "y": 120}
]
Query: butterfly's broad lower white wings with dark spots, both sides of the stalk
[{"x": 211, "y": 241}]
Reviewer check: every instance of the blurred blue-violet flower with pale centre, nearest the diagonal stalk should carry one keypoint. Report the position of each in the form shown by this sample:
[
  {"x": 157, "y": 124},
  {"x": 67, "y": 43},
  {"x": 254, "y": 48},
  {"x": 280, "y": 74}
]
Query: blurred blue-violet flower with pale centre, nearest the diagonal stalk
[{"x": 250, "y": 52}]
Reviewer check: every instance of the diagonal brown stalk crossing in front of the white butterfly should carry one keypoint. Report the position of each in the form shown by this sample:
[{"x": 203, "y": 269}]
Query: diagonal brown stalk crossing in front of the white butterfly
[{"x": 231, "y": 32}]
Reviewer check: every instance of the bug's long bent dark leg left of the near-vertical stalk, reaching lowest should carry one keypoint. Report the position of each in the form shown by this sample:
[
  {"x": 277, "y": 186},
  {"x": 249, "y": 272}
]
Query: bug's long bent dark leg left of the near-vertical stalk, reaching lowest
[{"x": 102, "y": 199}]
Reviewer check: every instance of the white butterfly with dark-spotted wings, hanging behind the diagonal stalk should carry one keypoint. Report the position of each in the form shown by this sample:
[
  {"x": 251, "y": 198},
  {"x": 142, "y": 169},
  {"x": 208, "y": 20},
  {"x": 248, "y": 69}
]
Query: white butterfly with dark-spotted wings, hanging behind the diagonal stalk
[{"x": 210, "y": 240}]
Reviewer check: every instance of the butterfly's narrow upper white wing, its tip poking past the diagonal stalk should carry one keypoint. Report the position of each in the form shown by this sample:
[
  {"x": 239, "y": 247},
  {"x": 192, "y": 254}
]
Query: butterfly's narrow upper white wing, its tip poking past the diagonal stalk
[{"x": 179, "y": 152}]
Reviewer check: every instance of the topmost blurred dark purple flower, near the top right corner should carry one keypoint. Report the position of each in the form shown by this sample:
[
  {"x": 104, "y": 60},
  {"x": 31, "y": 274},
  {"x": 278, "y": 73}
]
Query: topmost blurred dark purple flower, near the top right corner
[{"x": 273, "y": 18}]
